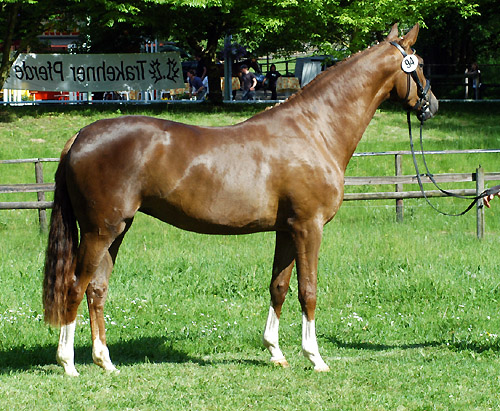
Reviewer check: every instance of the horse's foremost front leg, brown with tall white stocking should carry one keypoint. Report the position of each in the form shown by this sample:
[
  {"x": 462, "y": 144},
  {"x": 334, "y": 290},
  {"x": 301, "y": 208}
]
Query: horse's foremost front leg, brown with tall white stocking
[{"x": 307, "y": 239}]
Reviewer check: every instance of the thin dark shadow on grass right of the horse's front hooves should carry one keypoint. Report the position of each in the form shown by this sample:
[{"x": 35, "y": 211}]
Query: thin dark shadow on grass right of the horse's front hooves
[{"x": 474, "y": 346}]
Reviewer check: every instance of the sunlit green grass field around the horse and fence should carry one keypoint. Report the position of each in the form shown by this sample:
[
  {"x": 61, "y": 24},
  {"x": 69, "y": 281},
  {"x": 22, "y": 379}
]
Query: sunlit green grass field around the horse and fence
[{"x": 407, "y": 312}]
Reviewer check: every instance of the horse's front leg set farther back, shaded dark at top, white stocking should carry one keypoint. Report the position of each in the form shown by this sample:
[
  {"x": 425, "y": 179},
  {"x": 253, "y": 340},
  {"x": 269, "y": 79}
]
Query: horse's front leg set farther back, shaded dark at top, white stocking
[{"x": 282, "y": 269}]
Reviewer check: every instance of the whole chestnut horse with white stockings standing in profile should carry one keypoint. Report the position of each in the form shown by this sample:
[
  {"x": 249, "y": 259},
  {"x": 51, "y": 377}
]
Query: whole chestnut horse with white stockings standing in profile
[{"x": 281, "y": 170}]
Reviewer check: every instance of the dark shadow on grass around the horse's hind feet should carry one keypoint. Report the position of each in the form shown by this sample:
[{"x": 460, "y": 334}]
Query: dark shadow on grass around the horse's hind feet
[{"x": 138, "y": 351}]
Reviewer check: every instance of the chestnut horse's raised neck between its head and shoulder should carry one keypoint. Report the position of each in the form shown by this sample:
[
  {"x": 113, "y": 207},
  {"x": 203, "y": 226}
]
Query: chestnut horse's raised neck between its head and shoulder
[{"x": 343, "y": 101}]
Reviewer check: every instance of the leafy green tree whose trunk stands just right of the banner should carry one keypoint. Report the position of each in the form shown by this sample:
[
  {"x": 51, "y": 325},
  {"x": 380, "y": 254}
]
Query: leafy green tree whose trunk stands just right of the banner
[{"x": 338, "y": 27}]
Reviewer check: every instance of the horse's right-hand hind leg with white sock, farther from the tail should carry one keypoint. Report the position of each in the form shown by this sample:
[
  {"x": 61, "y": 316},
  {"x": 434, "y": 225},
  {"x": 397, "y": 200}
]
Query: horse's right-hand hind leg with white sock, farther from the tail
[{"x": 97, "y": 292}]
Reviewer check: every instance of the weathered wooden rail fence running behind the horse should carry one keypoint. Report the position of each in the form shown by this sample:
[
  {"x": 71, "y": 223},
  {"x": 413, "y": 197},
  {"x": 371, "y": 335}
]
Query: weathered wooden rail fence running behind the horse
[{"x": 398, "y": 180}]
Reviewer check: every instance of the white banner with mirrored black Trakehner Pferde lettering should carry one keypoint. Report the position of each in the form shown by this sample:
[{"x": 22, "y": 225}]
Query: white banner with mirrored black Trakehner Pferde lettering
[{"x": 96, "y": 72}]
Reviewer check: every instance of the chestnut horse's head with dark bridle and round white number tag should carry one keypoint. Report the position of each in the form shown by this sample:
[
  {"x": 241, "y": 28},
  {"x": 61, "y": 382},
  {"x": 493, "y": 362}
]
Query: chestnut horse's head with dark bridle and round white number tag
[{"x": 410, "y": 85}]
